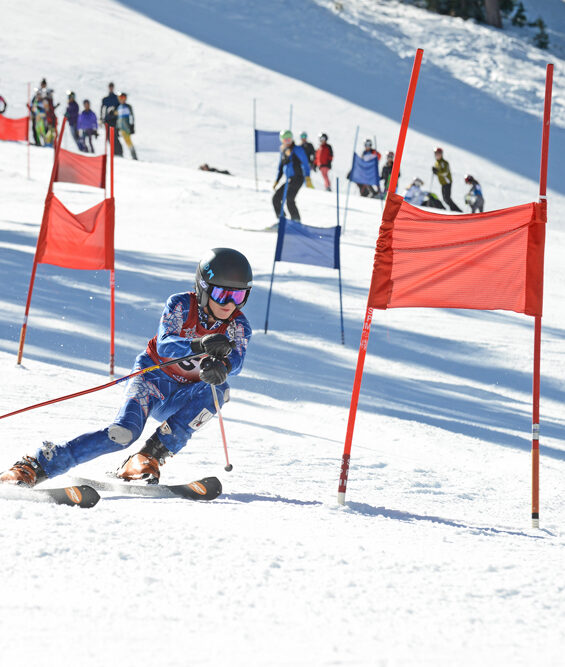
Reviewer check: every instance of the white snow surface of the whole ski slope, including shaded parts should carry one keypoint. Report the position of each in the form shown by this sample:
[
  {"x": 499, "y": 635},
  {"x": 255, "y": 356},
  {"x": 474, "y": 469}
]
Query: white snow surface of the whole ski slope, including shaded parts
[{"x": 433, "y": 560}]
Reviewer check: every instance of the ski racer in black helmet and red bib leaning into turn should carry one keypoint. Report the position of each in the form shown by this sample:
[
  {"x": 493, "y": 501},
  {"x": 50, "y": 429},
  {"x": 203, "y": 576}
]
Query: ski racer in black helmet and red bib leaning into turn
[{"x": 207, "y": 322}]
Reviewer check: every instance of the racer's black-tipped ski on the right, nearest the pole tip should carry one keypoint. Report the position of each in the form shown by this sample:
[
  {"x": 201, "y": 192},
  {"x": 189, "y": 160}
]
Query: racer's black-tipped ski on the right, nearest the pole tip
[{"x": 207, "y": 488}]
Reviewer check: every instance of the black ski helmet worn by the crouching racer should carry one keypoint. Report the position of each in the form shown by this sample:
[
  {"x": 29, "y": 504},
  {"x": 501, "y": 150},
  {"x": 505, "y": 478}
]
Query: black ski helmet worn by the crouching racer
[{"x": 222, "y": 267}]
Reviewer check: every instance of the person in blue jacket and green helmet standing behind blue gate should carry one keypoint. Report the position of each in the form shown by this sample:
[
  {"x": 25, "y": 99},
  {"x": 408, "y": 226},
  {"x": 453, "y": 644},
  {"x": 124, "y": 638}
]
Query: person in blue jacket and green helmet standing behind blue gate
[{"x": 295, "y": 165}]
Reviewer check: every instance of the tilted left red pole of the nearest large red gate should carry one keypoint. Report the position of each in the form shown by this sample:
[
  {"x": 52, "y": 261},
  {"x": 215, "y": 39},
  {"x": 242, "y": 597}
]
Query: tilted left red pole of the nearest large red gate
[{"x": 369, "y": 313}]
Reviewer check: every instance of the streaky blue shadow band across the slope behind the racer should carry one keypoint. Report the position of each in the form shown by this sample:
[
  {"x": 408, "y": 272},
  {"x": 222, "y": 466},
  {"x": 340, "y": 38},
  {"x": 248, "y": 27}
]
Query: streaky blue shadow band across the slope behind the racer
[{"x": 69, "y": 321}]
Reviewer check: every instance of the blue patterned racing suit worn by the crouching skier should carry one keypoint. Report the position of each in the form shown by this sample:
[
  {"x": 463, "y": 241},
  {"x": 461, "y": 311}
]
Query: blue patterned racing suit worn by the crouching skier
[{"x": 173, "y": 395}]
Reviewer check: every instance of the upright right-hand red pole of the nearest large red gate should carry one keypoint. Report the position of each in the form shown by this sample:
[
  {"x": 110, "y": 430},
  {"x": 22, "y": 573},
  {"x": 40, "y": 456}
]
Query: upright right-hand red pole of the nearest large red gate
[{"x": 537, "y": 324}]
